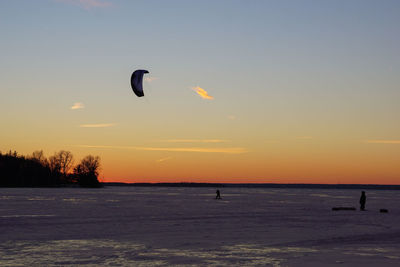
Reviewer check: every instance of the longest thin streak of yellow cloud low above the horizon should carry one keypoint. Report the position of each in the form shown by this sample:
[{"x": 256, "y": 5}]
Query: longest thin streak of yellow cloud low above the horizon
[{"x": 225, "y": 150}]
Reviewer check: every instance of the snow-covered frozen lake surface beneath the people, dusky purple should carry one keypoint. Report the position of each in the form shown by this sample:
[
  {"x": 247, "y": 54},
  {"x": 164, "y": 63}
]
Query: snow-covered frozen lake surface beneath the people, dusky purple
[{"x": 150, "y": 226}]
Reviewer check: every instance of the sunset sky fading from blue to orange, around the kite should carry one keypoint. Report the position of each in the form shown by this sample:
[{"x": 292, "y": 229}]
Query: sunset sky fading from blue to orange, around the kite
[{"x": 237, "y": 91}]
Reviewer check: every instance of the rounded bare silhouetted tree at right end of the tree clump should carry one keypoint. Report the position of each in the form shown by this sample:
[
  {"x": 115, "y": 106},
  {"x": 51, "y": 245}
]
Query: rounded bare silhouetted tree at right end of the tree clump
[{"x": 87, "y": 171}]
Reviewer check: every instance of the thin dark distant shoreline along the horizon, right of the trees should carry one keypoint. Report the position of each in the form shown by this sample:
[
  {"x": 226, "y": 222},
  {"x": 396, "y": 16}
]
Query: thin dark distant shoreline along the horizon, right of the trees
[{"x": 261, "y": 185}]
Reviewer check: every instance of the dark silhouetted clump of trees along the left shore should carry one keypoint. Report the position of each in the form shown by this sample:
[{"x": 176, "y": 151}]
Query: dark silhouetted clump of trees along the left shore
[{"x": 36, "y": 170}]
